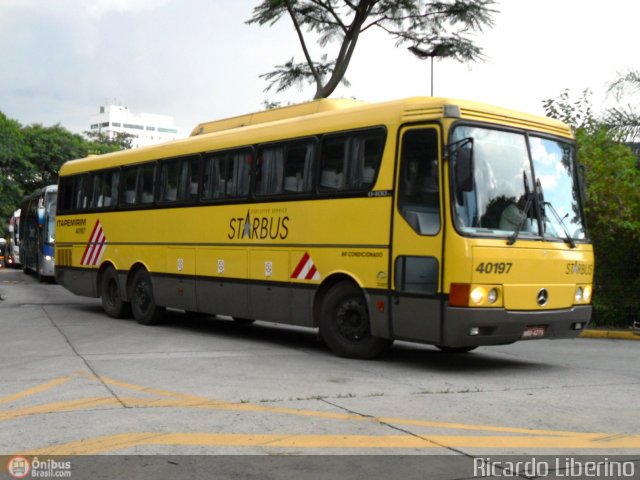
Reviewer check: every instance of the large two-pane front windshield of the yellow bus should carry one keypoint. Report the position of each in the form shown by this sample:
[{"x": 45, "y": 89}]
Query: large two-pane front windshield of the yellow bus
[{"x": 519, "y": 186}]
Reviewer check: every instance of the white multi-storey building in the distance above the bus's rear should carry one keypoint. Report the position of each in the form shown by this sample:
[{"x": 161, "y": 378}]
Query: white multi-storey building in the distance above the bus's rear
[{"x": 147, "y": 128}]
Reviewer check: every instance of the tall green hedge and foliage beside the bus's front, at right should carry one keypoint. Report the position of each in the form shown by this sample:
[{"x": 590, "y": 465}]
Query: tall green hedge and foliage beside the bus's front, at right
[{"x": 612, "y": 207}]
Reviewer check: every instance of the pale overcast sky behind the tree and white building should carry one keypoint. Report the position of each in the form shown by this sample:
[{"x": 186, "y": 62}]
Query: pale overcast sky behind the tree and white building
[{"x": 197, "y": 60}]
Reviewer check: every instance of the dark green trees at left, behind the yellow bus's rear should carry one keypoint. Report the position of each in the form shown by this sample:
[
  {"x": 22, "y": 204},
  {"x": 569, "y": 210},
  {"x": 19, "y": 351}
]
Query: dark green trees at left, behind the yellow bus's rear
[{"x": 31, "y": 156}]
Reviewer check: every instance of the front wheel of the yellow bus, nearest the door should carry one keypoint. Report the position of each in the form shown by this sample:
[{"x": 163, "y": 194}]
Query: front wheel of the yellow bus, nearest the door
[{"x": 344, "y": 323}]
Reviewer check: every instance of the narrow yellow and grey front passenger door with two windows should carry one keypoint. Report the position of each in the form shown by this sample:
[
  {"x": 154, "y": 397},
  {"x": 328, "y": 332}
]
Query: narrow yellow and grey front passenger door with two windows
[{"x": 417, "y": 236}]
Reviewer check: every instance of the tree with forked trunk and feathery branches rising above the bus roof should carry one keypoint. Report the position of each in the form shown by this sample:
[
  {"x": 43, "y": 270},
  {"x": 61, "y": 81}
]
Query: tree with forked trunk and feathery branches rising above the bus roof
[{"x": 433, "y": 28}]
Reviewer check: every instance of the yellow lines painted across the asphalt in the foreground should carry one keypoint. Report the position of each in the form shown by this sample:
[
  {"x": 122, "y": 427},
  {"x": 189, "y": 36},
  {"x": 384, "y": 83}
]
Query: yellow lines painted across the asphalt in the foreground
[{"x": 514, "y": 438}]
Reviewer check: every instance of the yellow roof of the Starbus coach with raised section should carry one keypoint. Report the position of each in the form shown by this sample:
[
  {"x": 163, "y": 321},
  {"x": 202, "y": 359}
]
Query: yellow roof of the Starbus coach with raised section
[{"x": 317, "y": 117}]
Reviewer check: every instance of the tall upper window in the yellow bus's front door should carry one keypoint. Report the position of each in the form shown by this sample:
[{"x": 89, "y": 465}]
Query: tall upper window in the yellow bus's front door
[{"x": 419, "y": 197}]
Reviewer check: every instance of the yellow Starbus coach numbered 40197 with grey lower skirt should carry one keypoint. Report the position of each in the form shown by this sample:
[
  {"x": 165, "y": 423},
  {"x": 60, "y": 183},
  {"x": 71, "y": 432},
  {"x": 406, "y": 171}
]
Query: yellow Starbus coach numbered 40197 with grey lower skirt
[{"x": 430, "y": 220}]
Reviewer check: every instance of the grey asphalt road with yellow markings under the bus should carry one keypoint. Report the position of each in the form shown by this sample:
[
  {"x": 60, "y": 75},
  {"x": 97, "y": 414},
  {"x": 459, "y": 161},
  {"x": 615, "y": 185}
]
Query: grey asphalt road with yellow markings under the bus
[{"x": 76, "y": 382}]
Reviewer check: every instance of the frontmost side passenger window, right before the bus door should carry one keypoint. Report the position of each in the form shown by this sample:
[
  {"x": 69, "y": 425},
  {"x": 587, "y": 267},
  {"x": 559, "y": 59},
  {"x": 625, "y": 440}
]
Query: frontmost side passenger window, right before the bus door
[{"x": 351, "y": 162}]
